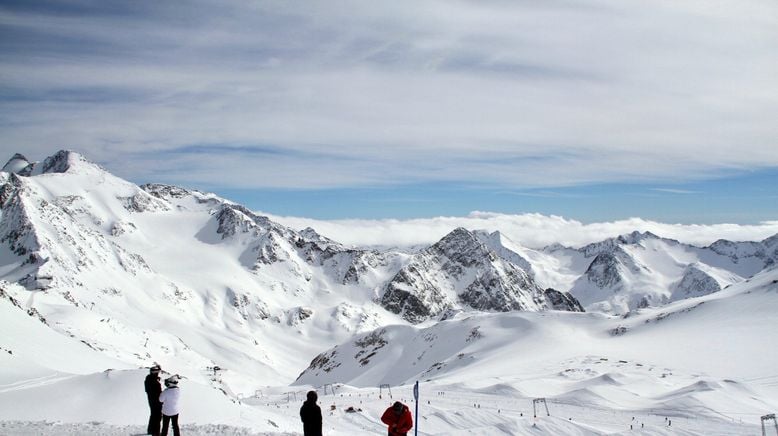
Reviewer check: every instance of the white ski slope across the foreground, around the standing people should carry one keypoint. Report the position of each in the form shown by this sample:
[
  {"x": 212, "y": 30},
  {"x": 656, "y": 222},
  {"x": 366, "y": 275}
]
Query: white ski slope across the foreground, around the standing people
[{"x": 596, "y": 372}]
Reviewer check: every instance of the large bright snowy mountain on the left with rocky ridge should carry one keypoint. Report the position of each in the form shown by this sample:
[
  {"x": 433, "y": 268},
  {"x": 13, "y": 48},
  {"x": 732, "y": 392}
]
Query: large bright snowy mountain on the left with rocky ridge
[{"x": 180, "y": 277}]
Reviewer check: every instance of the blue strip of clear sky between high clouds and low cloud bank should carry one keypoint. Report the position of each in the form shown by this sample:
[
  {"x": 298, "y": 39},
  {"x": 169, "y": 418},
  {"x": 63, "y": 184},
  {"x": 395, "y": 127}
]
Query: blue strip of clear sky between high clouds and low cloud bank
[{"x": 746, "y": 198}]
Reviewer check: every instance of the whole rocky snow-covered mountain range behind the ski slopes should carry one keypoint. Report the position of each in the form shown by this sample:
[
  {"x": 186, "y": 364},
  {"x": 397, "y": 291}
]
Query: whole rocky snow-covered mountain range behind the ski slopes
[{"x": 144, "y": 272}]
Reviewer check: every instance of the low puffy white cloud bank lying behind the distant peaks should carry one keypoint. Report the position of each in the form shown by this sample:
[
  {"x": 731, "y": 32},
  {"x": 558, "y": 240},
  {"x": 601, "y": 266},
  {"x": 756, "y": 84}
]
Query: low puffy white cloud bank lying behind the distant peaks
[{"x": 530, "y": 230}]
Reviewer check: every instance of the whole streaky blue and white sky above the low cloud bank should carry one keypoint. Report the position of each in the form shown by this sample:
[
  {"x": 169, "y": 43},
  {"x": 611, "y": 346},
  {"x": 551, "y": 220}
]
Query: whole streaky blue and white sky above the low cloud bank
[{"x": 596, "y": 110}]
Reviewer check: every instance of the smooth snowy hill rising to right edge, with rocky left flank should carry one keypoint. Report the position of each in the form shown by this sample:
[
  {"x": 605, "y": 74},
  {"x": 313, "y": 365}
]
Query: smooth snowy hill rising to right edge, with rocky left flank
[{"x": 695, "y": 355}]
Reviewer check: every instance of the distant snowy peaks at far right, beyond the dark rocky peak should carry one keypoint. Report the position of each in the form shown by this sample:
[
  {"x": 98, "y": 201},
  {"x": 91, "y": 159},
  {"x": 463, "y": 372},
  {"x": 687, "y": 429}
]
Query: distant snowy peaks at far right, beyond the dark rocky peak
[{"x": 641, "y": 269}]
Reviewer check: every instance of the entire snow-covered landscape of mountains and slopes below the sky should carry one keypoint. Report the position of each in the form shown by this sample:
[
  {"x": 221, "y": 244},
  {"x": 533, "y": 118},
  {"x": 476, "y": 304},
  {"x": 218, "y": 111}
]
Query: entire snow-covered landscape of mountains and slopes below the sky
[{"x": 100, "y": 278}]
